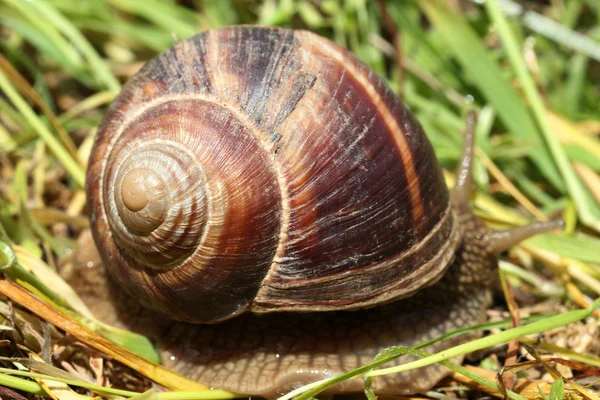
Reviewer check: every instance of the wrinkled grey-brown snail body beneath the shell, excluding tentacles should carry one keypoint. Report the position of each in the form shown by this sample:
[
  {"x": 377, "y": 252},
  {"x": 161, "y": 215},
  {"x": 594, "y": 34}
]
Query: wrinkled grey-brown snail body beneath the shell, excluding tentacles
[{"x": 268, "y": 355}]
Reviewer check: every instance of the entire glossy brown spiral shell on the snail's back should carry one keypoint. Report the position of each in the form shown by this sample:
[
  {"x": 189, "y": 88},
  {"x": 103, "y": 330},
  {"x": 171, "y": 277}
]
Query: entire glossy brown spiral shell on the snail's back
[{"x": 276, "y": 172}]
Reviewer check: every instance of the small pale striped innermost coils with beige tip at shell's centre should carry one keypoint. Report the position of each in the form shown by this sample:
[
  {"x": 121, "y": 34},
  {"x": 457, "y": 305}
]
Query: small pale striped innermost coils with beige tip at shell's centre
[{"x": 160, "y": 200}]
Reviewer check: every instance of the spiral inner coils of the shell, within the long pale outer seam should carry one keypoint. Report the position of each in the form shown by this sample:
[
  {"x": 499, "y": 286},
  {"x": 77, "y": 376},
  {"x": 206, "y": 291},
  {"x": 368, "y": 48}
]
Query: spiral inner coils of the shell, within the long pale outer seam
[{"x": 211, "y": 202}]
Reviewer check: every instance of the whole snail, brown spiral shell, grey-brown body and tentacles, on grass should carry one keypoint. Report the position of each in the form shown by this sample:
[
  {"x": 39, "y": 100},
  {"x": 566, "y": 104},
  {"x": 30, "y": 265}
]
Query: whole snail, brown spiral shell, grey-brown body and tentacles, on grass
[{"x": 266, "y": 190}]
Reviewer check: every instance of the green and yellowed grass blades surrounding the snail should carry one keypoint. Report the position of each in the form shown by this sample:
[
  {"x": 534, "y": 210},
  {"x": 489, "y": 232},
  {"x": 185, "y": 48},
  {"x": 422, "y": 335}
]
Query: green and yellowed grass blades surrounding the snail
[{"x": 533, "y": 73}]
